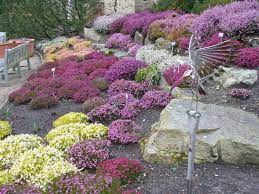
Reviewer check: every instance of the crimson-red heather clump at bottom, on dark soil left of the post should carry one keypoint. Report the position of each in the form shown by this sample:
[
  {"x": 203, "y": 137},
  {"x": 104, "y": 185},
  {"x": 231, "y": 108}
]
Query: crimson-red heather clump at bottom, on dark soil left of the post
[{"x": 123, "y": 169}]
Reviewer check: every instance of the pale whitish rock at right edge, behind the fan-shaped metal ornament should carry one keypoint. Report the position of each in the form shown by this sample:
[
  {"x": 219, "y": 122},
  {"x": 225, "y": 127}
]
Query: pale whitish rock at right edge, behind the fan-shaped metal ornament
[{"x": 233, "y": 76}]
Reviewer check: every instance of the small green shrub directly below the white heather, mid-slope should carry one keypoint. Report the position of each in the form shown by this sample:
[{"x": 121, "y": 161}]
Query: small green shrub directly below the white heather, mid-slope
[{"x": 151, "y": 74}]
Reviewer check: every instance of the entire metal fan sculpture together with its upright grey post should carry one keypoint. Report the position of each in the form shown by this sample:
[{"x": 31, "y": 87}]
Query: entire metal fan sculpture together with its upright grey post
[{"x": 205, "y": 63}]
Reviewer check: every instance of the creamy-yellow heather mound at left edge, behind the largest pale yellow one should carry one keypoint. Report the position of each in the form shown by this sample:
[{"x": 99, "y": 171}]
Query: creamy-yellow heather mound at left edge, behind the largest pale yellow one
[{"x": 13, "y": 146}]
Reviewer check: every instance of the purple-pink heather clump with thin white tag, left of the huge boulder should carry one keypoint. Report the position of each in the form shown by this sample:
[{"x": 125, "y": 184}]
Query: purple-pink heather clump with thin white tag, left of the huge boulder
[{"x": 120, "y": 106}]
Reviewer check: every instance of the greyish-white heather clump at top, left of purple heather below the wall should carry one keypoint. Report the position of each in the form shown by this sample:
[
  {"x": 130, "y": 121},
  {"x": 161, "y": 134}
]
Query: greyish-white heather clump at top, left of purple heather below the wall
[{"x": 102, "y": 23}]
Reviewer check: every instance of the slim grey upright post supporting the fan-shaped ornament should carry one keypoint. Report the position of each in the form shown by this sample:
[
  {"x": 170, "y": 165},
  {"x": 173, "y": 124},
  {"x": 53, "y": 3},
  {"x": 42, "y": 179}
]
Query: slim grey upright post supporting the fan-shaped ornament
[{"x": 192, "y": 114}]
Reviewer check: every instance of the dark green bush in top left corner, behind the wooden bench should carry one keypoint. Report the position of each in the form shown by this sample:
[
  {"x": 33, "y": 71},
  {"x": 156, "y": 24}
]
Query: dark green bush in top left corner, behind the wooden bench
[{"x": 44, "y": 18}]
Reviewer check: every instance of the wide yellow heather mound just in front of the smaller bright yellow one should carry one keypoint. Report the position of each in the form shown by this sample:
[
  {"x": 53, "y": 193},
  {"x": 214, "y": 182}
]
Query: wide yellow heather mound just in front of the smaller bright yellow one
[{"x": 63, "y": 137}]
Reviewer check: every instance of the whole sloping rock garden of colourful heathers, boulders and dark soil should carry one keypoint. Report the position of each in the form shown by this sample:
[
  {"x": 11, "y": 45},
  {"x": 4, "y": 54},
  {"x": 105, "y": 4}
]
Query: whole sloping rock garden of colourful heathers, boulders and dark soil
[{"x": 106, "y": 113}]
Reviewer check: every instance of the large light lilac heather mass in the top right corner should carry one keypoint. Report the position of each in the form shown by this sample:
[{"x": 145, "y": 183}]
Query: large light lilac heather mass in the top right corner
[{"x": 235, "y": 18}]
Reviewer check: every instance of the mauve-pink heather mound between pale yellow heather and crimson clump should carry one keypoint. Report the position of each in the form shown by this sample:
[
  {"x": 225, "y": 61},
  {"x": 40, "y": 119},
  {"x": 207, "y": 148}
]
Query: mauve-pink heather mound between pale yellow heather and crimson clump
[{"x": 87, "y": 154}]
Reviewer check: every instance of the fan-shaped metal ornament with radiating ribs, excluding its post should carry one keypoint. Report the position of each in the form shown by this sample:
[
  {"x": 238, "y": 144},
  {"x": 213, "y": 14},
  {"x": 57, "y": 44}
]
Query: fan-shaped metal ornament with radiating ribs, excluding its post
[{"x": 208, "y": 61}]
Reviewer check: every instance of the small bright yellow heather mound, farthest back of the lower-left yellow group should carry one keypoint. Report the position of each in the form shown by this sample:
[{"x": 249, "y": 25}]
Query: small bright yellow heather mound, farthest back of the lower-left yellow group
[{"x": 72, "y": 117}]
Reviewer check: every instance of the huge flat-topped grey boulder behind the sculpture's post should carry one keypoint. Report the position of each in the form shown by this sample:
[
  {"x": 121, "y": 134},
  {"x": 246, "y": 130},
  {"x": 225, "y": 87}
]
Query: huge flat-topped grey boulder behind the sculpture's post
[{"x": 227, "y": 134}]
